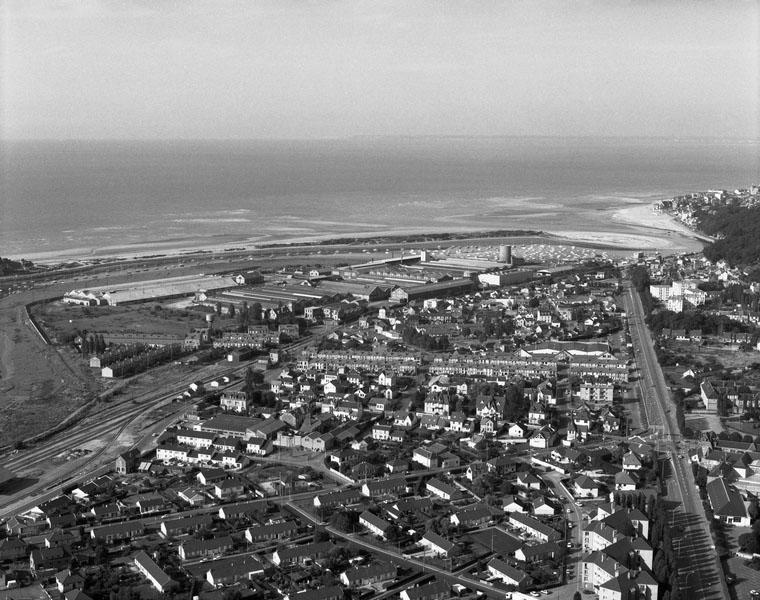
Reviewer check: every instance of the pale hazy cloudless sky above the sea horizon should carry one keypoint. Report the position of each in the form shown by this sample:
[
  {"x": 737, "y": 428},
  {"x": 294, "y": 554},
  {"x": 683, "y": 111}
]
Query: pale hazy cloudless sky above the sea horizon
[{"x": 241, "y": 69}]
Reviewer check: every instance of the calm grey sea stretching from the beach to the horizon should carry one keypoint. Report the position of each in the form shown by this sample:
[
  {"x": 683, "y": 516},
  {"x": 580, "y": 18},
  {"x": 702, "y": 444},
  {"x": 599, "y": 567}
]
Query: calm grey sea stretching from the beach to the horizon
[{"x": 92, "y": 198}]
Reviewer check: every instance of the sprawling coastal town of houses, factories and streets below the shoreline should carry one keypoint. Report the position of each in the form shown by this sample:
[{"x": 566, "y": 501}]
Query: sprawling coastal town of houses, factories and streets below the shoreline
[{"x": 503, "y": 421}]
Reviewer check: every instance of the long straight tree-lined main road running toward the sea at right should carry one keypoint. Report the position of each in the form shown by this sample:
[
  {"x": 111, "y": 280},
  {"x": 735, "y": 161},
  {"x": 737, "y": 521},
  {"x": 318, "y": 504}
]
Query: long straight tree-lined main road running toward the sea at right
[{"x": 699, "y": 573}]
